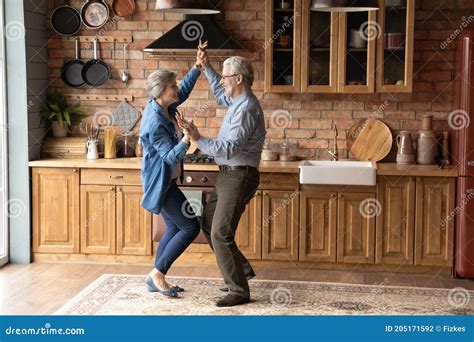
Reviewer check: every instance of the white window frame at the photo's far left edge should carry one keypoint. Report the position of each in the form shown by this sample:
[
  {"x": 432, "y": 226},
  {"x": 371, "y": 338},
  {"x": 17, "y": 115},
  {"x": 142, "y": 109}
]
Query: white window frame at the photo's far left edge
[{"x": 3, "y": 145}]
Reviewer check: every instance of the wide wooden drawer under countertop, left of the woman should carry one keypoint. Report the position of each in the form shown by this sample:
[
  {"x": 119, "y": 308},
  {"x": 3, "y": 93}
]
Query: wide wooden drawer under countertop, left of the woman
[{"x": 110, "y": 177}]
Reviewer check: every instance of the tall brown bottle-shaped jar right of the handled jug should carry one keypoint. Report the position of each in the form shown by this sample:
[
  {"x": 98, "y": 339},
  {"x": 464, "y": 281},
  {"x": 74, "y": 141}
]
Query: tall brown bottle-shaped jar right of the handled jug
[{"x": 426, "y": 144}]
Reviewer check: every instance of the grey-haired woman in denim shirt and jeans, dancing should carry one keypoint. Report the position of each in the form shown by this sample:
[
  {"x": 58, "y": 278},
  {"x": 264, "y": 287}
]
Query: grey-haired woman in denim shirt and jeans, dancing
[{"x": 164, "y": 148}]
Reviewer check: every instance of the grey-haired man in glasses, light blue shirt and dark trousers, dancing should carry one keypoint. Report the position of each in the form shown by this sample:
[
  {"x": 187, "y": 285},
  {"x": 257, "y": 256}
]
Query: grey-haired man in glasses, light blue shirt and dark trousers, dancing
[{"x": 237, "y": 151}]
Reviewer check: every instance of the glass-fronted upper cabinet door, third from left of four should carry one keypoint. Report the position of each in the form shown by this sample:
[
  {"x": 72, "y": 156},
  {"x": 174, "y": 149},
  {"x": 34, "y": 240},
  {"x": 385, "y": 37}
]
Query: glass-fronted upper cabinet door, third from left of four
[{"x": 356, "y": 52}]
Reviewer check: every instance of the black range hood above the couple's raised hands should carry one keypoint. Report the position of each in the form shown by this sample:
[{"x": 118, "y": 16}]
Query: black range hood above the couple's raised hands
[{"x": 183, "y": 39}]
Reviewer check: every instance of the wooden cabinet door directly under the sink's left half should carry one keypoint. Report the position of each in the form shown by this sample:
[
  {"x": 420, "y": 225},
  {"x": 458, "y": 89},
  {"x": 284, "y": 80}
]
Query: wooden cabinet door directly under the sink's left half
[{"x": 318, "y": 222}]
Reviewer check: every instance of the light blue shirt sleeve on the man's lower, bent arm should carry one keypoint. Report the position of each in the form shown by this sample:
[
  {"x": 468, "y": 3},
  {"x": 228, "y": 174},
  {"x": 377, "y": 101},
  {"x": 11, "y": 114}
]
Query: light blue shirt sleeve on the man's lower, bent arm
[{"x": 240, "y": 129}]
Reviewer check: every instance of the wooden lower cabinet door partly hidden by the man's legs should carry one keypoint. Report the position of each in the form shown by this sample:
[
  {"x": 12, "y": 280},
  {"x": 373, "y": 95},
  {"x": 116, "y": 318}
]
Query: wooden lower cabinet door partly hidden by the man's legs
[{"x": 249, "y": 232}]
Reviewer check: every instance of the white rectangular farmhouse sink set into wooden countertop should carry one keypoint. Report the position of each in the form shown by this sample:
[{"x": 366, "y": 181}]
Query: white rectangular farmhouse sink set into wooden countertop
[{"x": 347, "y": 172}]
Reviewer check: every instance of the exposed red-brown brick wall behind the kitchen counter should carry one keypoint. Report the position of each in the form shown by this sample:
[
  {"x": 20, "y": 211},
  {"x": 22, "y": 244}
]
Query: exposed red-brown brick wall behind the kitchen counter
[{"x": 311, "y": 114}]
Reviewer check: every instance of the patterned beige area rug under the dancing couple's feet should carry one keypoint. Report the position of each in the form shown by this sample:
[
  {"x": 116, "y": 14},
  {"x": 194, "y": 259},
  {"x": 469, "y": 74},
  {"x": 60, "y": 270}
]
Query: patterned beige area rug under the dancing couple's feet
[{"x": 114, "y": 294}]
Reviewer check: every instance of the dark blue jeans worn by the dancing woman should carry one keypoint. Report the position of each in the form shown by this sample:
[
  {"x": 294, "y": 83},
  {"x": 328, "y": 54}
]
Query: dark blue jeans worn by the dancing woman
[{"x": 181, "y": 229}]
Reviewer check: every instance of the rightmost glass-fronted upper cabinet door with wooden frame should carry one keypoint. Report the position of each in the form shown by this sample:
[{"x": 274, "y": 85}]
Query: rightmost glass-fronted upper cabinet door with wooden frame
[{"x": 395, "y": 51}]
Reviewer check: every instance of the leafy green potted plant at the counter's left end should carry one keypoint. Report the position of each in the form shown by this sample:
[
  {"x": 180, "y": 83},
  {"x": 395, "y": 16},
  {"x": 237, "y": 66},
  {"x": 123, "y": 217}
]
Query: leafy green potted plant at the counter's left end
[{"x": 61, "y": 114}]
